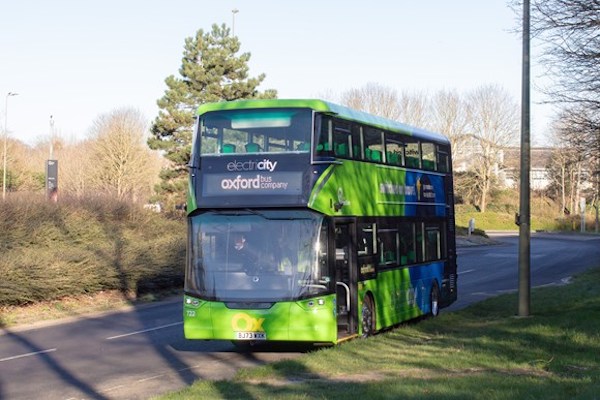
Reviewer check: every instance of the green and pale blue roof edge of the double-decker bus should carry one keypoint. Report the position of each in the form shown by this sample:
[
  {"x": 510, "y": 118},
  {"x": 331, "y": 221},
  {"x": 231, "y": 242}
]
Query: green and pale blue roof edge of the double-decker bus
[{"x": 326, "y": 107}]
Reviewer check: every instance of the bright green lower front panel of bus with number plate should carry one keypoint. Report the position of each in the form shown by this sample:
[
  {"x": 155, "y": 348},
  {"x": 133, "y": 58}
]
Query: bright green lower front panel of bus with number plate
[{"x": 311, "y": 320}]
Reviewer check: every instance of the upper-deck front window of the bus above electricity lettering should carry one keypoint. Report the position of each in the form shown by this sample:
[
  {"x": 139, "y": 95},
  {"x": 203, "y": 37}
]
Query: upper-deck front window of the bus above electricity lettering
[{"x": 276, "y": 130}]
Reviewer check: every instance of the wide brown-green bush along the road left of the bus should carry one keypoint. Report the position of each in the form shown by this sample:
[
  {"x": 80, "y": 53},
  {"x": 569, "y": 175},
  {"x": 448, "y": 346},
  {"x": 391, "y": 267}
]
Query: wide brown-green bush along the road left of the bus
[{"x": 52, "y": 250}]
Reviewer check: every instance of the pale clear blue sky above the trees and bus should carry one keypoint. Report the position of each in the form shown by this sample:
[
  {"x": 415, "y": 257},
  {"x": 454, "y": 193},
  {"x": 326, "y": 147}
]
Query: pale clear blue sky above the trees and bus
[{"x": 76, "y": 59}]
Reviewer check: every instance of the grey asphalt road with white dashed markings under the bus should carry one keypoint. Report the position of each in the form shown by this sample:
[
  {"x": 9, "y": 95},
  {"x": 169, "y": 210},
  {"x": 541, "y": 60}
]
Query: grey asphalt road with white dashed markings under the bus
[{"x": 140, "y": 353}]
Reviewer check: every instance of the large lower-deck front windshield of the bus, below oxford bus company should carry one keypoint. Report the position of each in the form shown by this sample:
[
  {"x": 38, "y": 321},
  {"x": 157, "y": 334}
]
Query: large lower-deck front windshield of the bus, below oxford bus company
[{"x": 258, "y": 256}]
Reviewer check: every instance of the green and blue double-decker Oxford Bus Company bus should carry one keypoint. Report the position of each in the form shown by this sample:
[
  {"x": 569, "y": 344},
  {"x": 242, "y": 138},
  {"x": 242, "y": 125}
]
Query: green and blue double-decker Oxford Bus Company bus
[{"x": 313, "y": 222}]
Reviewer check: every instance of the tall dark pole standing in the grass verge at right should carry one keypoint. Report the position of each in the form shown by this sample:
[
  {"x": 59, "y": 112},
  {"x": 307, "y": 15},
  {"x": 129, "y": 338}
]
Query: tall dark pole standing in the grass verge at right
[{"x": 524, "y": 216}]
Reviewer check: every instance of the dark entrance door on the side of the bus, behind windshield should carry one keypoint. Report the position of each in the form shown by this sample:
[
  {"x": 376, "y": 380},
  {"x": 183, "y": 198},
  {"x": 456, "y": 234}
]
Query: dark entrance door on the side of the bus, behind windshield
[{"x": 346, "y": 278}]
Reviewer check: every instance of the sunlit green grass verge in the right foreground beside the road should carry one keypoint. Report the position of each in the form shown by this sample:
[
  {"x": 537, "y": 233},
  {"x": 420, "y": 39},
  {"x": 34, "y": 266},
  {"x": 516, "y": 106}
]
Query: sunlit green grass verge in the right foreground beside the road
[{"x": 482, "y": 352}]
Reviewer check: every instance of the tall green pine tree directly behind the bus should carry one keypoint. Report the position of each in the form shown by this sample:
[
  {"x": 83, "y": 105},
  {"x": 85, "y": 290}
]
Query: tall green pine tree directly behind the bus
[{"x": 211, "y": 70}]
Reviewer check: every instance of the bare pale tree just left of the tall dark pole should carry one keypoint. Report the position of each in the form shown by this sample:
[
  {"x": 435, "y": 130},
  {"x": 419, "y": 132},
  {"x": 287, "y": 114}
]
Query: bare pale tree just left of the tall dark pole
[{"x": 493, "y": 122}]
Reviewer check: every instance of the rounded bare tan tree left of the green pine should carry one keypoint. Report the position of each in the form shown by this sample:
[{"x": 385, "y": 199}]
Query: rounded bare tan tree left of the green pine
[{"x": 122, "y": 164}]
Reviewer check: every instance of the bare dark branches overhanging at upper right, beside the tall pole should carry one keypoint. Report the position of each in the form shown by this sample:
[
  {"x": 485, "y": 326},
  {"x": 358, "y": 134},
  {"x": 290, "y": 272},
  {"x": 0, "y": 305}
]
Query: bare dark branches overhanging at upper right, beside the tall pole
[{"x": 570, "y": 31}]
